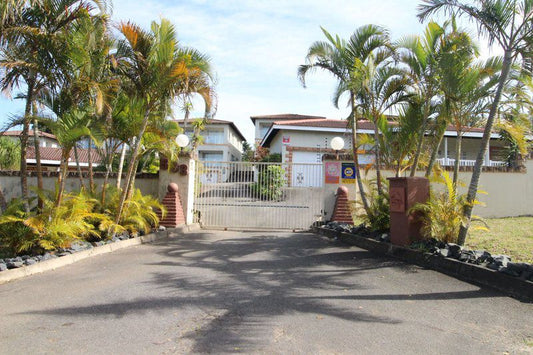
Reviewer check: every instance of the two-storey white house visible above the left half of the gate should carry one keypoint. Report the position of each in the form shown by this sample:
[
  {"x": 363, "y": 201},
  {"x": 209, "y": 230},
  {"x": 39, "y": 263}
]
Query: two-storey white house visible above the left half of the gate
[{"x": 222, "y": 140}]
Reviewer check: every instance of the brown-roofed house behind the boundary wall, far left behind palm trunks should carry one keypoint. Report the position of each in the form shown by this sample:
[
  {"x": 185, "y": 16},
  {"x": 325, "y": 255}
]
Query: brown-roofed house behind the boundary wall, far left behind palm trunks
[{"x": 50, "y": 153}]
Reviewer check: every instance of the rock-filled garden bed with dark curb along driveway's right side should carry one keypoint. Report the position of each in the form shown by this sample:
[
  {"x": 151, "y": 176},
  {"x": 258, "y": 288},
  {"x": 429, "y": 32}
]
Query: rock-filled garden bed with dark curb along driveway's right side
[{"x": 476, "y": 267}]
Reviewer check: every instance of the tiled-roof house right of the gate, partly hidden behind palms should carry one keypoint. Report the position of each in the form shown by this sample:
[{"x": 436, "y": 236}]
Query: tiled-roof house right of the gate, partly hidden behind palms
[{"x": 307, "y": 140}]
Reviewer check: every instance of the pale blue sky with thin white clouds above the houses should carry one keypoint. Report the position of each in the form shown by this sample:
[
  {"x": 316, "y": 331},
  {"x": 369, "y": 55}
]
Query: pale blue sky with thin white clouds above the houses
[{"x": 256, "y": 47}]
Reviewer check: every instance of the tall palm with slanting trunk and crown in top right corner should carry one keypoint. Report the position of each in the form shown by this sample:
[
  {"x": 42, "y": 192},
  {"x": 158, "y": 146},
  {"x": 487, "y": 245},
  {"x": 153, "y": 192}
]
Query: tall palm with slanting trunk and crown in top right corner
[{"x": 507, "y": 23}]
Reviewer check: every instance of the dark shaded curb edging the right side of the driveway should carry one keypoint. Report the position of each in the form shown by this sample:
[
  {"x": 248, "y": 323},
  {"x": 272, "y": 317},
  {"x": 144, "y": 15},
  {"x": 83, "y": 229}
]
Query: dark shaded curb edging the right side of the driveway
[{"x": 512, "y": 286}]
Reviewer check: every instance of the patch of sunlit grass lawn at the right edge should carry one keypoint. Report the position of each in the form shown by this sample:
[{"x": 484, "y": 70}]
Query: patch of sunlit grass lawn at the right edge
[{"x": 509, "y": 236}]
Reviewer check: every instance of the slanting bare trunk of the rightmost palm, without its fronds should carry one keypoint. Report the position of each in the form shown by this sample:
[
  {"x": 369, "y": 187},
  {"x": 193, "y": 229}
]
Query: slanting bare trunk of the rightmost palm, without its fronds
[{"x": 472, "y": 188}]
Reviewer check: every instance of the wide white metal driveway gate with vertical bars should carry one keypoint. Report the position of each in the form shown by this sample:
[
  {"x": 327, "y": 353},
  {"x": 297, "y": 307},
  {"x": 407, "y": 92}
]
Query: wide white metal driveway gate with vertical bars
[{"x": 258, "y": 195}]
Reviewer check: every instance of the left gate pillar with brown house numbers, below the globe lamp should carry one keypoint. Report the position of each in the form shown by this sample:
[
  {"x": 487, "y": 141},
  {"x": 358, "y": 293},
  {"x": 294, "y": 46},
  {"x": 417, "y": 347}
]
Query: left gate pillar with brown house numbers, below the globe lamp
[{"x": 181, "y": 173}]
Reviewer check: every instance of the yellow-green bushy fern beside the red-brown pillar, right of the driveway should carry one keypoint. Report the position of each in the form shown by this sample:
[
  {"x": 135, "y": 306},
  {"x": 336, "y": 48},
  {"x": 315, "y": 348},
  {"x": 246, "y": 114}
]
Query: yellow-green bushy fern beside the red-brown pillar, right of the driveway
[{"x": 442, "y": 215}]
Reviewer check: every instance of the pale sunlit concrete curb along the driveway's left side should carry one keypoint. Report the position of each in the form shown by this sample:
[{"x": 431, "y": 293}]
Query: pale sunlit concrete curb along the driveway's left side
[{"x": 51, "y": 264}]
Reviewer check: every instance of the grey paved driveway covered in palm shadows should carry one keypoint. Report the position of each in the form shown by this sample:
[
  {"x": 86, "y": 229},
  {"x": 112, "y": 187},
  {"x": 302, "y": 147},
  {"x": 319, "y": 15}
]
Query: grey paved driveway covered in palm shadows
[{"x": 226, "y": 292}]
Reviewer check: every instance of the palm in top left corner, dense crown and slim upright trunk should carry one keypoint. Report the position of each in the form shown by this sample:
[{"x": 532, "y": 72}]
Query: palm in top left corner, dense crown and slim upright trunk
[{"x": 34, "y": 49}]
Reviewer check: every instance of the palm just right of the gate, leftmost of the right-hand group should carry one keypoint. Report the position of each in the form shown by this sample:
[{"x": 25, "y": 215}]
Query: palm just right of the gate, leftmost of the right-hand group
[{"x": 338, "y": 57}]
